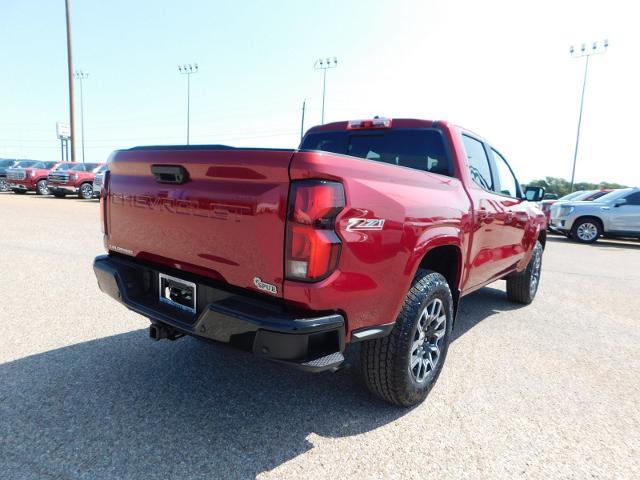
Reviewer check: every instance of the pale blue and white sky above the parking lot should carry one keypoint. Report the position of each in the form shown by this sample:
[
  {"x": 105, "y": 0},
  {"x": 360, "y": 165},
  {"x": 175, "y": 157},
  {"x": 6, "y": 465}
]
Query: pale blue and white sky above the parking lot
[{"x": 499, "y": 68}]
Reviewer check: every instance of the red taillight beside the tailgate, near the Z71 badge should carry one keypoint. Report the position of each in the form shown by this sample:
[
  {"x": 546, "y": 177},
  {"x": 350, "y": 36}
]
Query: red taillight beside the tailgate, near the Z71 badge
[{"x": 313, "y": 247}]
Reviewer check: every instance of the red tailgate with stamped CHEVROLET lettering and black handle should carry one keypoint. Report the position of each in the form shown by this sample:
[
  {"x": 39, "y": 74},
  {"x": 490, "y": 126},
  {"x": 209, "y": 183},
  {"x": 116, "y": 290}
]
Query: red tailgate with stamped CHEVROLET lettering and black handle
[{"x": 225, "y": 219}]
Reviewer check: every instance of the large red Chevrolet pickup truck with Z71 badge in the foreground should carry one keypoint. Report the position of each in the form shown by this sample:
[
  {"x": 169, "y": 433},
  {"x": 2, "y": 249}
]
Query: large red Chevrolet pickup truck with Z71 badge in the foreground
[{"x": 370, "y": 232}]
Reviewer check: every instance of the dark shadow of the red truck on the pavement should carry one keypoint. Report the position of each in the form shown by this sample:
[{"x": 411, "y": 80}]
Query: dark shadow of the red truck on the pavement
[{"x": 126, "y": 407}]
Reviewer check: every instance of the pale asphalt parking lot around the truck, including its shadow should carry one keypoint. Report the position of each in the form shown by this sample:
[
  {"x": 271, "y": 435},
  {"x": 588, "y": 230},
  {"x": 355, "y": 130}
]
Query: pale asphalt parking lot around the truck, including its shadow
[{"x": 551, "y": 390}]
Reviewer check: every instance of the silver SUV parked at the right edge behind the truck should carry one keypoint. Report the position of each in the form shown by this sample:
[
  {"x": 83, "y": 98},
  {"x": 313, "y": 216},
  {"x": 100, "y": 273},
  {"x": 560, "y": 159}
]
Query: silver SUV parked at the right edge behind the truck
[{"x": 616, "y": 214}]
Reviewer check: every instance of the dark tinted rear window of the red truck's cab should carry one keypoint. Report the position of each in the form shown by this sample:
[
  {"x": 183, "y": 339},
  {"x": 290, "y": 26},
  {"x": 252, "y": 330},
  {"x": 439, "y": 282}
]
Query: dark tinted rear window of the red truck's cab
[{"x": 418, "y": 149}]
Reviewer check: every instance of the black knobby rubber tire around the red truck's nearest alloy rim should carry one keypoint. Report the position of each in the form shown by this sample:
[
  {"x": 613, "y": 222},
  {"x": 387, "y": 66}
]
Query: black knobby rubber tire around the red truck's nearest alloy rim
[{"x": 386, "y": 362}]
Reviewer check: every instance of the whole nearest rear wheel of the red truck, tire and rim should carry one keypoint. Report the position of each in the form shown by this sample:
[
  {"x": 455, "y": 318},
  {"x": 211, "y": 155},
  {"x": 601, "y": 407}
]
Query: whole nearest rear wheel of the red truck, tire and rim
[{"x": 403, "y": 367}]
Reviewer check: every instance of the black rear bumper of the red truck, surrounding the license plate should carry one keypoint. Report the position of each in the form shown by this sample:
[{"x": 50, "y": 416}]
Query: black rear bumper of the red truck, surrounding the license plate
[{"x": 270, "y": 330}]
